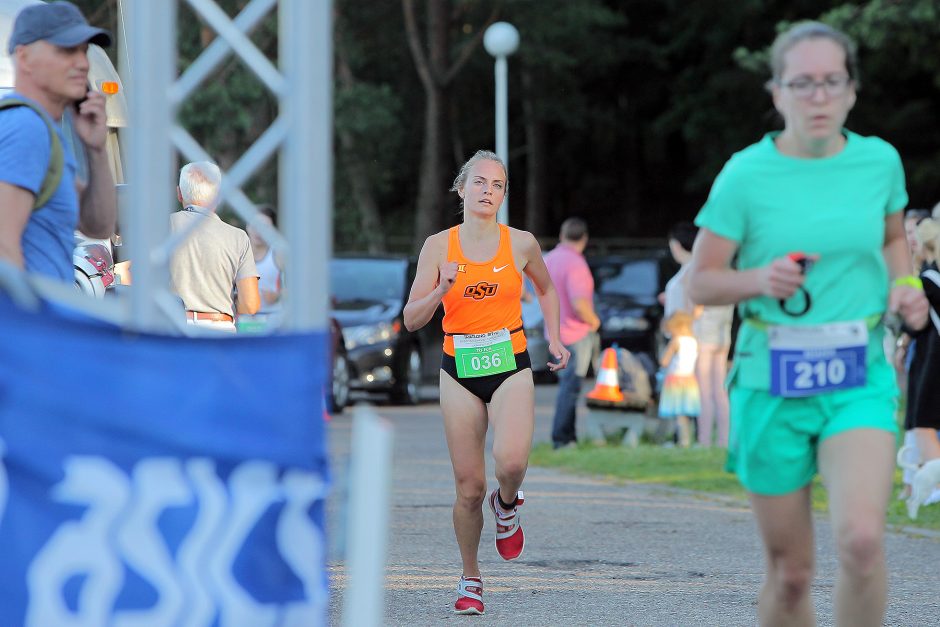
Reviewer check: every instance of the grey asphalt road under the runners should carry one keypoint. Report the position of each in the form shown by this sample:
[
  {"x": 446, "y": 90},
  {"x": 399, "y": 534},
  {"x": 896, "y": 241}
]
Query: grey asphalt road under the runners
[{"x": 597, "y": 552}]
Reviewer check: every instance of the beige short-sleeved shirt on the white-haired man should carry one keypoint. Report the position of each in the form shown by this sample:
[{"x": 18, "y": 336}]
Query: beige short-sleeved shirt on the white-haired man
[{"x": 204, "y": 268}]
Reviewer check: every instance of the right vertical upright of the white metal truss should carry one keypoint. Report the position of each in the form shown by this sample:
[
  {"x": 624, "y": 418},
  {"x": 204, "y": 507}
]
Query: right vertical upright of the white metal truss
[{"x": 306, "y": 166}]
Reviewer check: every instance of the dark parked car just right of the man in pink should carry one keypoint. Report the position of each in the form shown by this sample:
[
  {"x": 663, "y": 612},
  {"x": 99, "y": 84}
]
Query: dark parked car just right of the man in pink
[{"x": 626, "y": 287}]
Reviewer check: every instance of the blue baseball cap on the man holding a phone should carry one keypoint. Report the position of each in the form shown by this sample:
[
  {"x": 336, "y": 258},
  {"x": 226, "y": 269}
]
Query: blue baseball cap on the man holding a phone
[{"x": 60, "y": 23}]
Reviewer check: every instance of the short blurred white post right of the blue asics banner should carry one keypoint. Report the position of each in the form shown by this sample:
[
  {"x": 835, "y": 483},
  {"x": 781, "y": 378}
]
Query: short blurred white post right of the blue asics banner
[{"x": 367, "y": 522}]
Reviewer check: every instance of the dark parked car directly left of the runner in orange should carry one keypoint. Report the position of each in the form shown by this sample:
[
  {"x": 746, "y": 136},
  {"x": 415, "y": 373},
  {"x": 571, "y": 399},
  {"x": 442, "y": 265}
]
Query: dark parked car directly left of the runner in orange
[{"x": 369, "y": 293}]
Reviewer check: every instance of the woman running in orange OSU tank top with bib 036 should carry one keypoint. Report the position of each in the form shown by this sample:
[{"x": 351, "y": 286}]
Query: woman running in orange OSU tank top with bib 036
[{"x": 475, "y": 269}]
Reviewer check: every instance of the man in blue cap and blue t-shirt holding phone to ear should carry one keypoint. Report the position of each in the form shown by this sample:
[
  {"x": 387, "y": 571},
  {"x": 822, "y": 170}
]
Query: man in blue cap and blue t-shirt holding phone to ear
[{"x": 48, "y": 46}]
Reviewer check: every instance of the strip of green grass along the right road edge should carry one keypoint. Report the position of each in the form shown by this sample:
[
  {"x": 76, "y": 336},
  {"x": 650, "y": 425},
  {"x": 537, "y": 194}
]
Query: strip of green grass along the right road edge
[{"x": 692, "y": 469}]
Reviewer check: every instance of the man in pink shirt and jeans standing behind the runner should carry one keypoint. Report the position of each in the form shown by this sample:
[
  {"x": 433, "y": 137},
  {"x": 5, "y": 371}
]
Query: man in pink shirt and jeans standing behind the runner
[{"x": 575, "y": 286}]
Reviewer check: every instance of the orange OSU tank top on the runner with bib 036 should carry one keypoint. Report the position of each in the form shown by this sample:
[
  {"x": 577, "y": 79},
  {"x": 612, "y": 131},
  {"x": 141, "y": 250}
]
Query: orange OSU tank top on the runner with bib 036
[{"x": 486, "y": 296}]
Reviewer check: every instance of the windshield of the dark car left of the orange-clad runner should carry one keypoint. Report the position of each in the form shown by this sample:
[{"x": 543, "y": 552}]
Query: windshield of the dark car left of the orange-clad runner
[{"x": 357, "y": 282}]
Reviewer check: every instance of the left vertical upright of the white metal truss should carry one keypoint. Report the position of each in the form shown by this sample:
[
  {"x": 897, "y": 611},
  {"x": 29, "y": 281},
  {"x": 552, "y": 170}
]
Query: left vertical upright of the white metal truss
[{"x": 152, "y": 44}]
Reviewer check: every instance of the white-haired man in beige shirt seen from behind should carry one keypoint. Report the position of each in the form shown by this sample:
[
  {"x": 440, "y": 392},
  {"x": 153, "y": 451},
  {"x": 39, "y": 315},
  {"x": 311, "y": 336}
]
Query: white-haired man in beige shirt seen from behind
[{"x": 215, "y": 259}]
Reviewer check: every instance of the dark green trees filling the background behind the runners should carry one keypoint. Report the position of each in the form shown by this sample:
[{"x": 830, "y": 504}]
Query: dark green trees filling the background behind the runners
[{"x": 621, "y": 111}]
